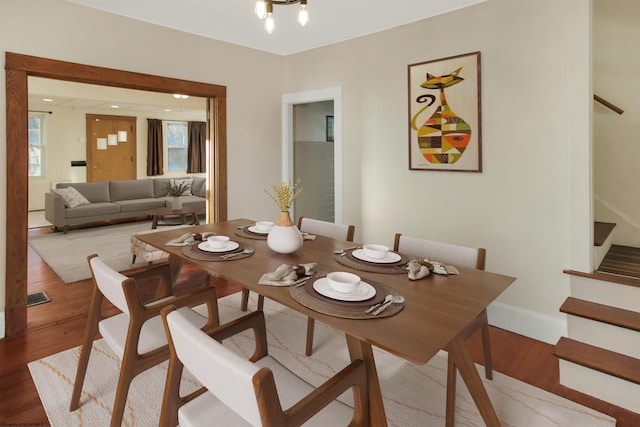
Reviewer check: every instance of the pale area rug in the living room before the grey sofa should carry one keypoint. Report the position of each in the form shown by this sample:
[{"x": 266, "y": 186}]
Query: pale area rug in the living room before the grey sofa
[{"x": 66, "y": 254}]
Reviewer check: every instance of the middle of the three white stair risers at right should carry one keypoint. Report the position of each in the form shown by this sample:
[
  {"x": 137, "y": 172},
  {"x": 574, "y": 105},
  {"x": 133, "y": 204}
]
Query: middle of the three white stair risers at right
[{"x": 603, "y": 335}]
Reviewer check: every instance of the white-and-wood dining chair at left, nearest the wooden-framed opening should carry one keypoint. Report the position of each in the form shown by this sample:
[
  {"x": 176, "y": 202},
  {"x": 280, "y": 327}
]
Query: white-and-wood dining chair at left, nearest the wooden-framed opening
[{"x": 136, "y": 335}]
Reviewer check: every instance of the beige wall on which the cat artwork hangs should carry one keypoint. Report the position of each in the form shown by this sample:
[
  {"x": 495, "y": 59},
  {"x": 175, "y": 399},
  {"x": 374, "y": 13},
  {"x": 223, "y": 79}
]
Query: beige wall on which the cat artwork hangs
[{"x": 519, "y": 207}]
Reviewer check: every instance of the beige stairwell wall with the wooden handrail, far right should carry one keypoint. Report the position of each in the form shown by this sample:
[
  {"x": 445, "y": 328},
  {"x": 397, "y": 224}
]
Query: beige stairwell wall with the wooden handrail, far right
[{"x": 616, "y": 67}]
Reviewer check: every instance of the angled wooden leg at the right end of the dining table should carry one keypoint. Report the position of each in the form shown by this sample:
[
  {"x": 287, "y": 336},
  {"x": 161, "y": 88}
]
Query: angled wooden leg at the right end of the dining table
[{"x": 461, "y": 361}]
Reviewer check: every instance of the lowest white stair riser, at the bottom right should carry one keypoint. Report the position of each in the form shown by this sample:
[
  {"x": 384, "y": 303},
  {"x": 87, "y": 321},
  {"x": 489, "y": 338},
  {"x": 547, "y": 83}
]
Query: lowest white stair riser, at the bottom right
[{"x": 602, "y": 386}]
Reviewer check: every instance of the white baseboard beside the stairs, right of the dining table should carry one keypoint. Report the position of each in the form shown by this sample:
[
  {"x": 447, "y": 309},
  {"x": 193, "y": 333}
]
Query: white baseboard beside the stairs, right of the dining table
[{"x": 526, "y": 322}]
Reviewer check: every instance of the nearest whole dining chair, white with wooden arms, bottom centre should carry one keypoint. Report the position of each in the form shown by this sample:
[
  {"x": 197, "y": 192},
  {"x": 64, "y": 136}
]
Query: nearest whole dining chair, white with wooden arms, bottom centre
[{"x": 237, "y": 391}]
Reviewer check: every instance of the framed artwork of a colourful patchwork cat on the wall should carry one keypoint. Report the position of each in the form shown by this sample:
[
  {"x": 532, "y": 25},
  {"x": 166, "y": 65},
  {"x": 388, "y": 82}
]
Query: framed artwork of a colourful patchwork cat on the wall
[{"x": 444, "y": 114}]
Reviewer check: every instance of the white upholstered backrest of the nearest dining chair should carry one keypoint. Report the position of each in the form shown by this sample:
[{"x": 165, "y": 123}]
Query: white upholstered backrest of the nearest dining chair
[{"x": 224, "y": 373}]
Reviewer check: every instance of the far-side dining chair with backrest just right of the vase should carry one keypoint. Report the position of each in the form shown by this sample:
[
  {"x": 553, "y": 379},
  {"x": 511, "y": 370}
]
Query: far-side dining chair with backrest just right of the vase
[{"x": 322, "y": 228}]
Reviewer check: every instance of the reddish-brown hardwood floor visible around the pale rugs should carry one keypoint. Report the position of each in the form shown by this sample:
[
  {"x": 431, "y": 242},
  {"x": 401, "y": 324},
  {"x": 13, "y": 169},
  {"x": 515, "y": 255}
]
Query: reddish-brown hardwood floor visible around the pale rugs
[{"x": 58, "y": 325}]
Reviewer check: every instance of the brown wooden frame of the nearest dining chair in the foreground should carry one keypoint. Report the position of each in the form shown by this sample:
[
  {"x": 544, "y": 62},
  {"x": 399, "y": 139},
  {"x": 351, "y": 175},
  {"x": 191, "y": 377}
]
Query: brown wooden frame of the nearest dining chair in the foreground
[{"x": 272, "y": 414}]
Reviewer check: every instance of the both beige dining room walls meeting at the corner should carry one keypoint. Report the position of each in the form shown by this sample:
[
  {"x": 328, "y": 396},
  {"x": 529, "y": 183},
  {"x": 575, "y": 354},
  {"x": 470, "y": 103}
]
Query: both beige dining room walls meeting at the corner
[{"x": 530, "y": 205}]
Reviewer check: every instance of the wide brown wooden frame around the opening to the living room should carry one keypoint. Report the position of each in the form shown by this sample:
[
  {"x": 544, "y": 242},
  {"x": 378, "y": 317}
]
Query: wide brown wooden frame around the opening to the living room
[{"x": 18, "y": 68}]
